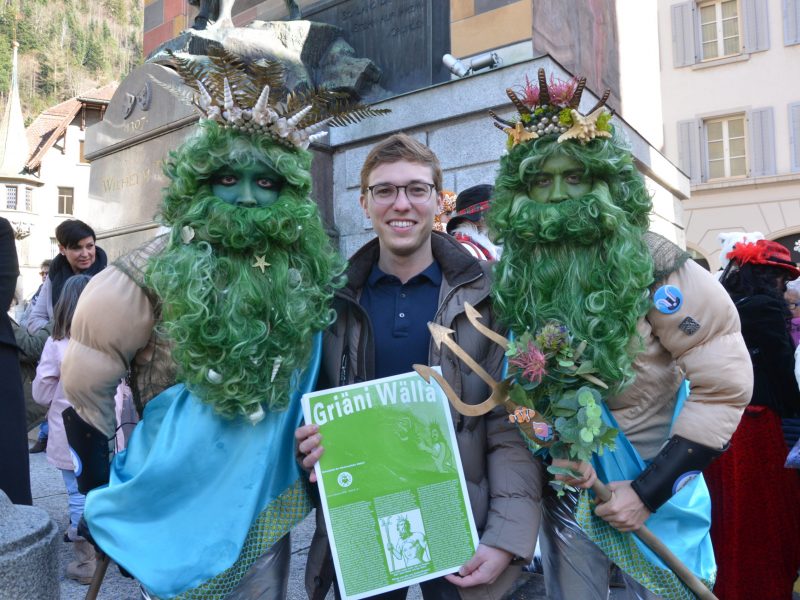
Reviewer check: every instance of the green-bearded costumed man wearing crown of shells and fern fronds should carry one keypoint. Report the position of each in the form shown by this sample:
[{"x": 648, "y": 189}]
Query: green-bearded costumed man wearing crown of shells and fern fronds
[{"x": 218, "y": 323}]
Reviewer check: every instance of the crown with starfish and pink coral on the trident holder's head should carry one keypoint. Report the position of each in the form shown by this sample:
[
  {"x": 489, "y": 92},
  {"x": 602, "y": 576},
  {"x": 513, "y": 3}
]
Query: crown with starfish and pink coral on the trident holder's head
[{"x": 553, "y": 110}]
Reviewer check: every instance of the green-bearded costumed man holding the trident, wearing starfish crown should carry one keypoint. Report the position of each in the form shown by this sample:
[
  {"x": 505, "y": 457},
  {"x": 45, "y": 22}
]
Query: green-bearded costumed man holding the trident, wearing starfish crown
[{"x": 572, "y": 213}]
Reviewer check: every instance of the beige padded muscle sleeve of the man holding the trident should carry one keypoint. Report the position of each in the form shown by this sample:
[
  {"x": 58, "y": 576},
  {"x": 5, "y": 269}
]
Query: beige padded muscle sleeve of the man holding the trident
[{"x": 714, "y": 358}]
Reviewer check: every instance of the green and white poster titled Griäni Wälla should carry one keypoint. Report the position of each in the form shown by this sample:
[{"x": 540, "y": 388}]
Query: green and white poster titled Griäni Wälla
[{"x": 391, "y": 482}]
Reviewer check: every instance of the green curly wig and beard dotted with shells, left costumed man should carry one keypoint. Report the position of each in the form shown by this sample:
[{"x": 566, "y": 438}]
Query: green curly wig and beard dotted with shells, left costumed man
[{"x": 229, "y": 321}]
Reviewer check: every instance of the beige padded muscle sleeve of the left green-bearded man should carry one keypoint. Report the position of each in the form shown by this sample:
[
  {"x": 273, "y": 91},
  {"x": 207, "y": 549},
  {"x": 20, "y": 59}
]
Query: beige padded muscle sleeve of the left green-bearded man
[{"x": 112, "y": 322}]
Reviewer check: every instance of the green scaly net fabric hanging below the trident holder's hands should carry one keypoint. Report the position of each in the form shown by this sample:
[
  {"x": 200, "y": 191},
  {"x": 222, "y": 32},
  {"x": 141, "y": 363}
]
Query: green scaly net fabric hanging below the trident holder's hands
[{"x": 622, "y": 549}]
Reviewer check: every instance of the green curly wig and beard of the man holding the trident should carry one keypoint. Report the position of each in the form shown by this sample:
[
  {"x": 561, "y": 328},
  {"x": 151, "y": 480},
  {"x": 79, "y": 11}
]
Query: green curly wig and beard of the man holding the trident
[{"x": 583, "y": 261}]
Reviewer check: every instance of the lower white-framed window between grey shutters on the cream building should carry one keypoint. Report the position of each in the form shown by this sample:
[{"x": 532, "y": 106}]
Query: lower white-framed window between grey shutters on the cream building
[{"x": 726, "y": 147}]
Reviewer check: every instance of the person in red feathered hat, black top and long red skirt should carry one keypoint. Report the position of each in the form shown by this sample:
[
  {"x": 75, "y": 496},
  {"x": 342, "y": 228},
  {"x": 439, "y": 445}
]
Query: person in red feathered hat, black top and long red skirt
[{"x": 755, "y": 522}]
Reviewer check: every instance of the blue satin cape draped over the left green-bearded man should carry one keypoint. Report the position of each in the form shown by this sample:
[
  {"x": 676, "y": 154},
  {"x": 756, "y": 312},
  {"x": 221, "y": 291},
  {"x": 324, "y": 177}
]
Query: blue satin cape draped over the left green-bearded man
[{"x": 182, "y": 496}]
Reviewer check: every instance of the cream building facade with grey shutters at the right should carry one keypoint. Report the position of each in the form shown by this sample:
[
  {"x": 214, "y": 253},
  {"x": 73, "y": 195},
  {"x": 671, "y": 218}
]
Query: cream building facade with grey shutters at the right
[{"x": 731, "y": 106}]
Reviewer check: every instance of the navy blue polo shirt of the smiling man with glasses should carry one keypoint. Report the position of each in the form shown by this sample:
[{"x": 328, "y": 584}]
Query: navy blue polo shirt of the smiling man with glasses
[{"x": 399, "y": 313}]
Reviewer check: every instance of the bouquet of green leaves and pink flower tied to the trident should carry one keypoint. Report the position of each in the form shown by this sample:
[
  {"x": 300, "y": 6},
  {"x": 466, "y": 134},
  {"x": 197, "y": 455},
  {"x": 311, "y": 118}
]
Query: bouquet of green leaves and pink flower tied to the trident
[{"x": 559, "y": 397}]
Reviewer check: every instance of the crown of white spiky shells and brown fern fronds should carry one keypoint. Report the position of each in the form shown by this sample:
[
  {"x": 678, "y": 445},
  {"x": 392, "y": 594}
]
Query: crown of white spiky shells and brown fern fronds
[{"x": 251, "y": 96}]
